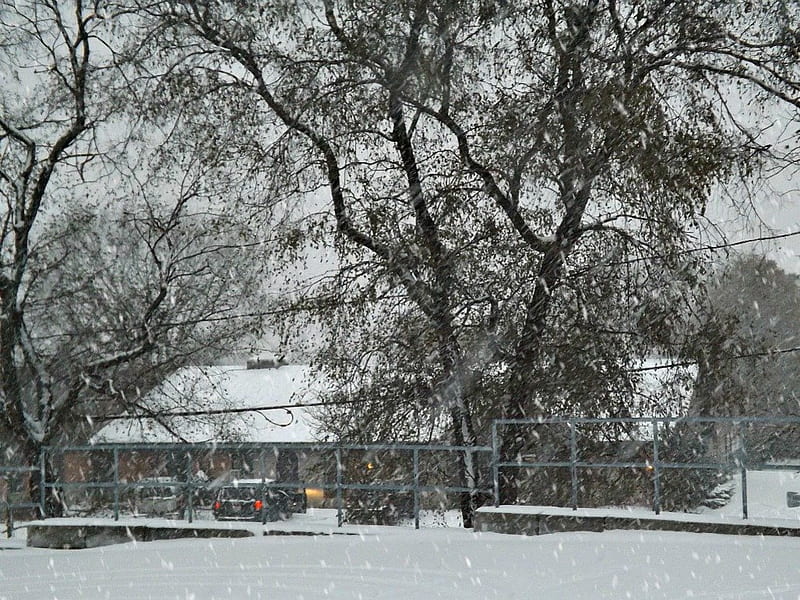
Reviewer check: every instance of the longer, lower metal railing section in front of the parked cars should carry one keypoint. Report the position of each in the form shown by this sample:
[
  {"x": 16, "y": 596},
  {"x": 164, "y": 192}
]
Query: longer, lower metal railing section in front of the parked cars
[{"x": 355, "y": 479}]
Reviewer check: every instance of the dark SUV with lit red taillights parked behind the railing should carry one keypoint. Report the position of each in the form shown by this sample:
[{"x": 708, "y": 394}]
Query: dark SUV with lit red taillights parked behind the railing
[{"x": 251, "y": 501}]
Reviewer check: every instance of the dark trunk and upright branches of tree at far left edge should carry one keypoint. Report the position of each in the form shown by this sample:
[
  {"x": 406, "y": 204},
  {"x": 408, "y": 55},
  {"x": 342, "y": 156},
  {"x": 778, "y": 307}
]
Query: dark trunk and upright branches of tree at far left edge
[{"x": 40, "y": 135}]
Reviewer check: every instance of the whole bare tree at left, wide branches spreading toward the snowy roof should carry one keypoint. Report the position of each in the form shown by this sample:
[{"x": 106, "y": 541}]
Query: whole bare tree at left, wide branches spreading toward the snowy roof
[{"x": 117, "y": 266}]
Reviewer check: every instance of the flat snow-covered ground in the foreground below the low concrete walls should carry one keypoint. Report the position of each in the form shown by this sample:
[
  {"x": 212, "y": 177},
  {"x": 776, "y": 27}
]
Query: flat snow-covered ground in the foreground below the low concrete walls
[{"x": 405, "y": 564}]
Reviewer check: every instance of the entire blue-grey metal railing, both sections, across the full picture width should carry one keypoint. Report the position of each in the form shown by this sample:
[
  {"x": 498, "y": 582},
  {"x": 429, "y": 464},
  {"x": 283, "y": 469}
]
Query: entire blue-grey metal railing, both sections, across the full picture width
[{"x": 653, "y": 458}]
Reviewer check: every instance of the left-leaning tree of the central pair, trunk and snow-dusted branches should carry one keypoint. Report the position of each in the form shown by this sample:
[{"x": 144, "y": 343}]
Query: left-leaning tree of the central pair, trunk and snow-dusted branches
[{"x": 414, "y": 256}]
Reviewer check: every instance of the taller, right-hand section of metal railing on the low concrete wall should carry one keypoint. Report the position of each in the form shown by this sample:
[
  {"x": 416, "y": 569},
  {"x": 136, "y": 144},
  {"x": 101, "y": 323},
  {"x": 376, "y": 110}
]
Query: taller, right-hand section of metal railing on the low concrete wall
[{"x": 656, "y": 447}]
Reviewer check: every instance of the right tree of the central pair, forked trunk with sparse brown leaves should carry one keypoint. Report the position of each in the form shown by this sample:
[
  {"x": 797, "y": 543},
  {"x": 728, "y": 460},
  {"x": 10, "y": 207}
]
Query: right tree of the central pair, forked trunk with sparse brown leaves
[{"x": 614, "y": 119}]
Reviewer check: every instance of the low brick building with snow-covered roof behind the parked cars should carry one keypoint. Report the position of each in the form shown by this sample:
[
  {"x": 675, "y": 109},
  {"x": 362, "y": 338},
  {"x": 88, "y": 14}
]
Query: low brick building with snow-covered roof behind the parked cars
[{"x": 230, "y": 410}]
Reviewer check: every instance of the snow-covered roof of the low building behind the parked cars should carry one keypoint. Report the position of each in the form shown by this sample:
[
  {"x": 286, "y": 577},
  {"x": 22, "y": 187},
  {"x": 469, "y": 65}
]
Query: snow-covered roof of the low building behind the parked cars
[{"x": 223, "y": 387}]
